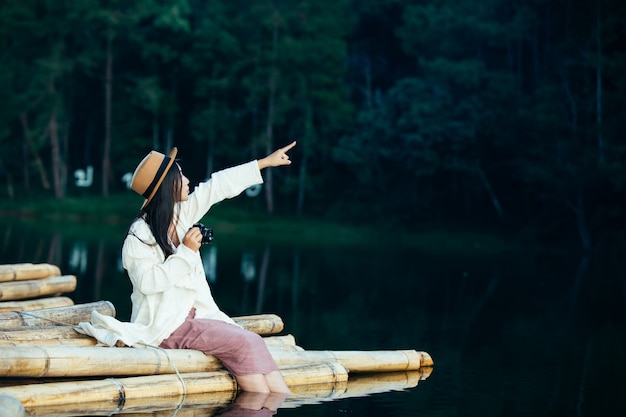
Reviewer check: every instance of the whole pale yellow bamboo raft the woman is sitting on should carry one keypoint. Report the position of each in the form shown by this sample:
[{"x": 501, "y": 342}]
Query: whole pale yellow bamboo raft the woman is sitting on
[{"x": 48, "y": 368}]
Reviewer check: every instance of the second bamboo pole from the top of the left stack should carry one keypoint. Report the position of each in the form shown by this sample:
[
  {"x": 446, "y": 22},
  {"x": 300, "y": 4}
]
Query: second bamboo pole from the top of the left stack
[{"x": 20, "y": 290}]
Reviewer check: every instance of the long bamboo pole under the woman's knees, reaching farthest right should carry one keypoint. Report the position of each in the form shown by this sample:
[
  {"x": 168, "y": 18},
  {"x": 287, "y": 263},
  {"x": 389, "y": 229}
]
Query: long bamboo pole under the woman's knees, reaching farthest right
[{"x": 81, "y": 361}]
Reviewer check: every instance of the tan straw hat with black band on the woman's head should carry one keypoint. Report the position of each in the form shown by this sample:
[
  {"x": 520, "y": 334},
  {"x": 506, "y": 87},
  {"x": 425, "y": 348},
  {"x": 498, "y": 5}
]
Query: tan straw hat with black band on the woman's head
[{"x": 150, "y": 172}]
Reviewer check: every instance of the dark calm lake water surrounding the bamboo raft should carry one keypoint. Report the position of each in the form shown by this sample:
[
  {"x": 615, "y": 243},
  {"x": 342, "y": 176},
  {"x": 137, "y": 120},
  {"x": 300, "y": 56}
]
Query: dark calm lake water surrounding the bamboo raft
[{"x": 511, "y": 334}]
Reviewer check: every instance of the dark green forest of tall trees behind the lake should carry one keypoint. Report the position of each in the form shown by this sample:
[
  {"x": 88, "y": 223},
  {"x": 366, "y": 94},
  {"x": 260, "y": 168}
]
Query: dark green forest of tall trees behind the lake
[{"x": 496, "y": 114}]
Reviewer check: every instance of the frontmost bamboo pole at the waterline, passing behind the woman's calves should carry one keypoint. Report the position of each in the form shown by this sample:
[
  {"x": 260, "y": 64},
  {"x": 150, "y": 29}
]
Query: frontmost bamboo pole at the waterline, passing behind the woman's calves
[{"x": 123, "y": 393}]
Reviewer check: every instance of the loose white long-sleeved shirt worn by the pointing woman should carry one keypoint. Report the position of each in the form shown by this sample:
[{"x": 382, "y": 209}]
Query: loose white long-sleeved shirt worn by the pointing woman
[{"x": 164, "y": 291}]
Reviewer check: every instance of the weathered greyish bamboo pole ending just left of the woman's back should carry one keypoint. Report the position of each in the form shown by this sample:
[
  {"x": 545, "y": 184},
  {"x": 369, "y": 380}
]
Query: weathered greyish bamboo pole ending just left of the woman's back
[{"x": 68, "y": 316}]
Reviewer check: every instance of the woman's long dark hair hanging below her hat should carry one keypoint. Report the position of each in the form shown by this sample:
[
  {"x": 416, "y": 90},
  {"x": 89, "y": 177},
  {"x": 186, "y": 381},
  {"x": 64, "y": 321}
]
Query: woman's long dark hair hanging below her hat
[{"x": 159, "y": 212}]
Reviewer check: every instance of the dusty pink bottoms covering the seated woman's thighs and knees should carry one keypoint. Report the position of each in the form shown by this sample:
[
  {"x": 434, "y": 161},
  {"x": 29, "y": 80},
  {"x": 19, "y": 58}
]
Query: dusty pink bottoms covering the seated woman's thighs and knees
[{"x": 241, "y": 351}]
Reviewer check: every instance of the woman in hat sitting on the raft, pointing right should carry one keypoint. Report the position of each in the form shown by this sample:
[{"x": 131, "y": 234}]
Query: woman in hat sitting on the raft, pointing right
[{"x": 172, "y": 305}]
